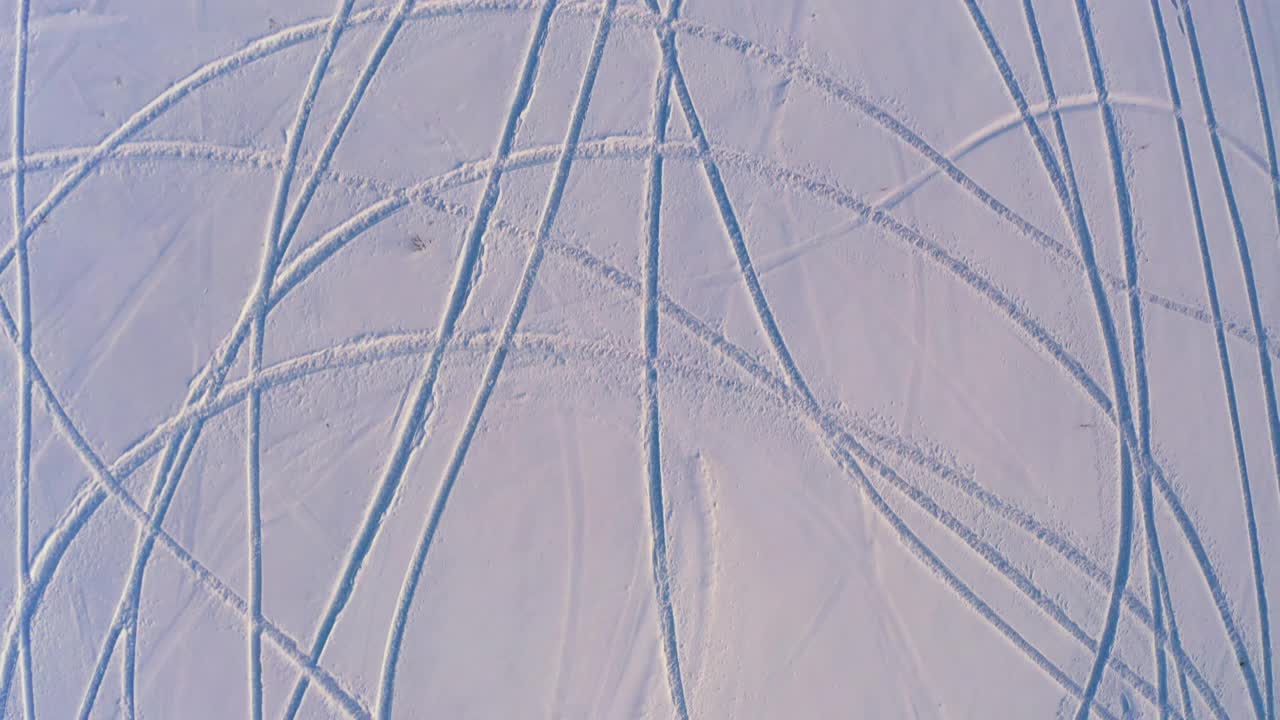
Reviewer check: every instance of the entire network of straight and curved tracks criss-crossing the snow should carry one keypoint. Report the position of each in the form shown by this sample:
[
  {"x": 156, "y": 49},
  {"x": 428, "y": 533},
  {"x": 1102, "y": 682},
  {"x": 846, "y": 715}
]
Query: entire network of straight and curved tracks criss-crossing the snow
[{"x": 849, "y": 446}]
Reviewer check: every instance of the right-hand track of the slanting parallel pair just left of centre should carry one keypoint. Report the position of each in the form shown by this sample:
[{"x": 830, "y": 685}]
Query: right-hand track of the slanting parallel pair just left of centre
[{"x": 551, "y": 208}]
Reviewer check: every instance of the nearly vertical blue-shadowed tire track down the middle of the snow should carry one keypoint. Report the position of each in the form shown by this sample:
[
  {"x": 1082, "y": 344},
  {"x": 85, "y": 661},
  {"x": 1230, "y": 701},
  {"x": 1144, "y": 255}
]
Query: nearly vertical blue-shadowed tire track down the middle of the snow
[{"x": 652, "y": 422}]
